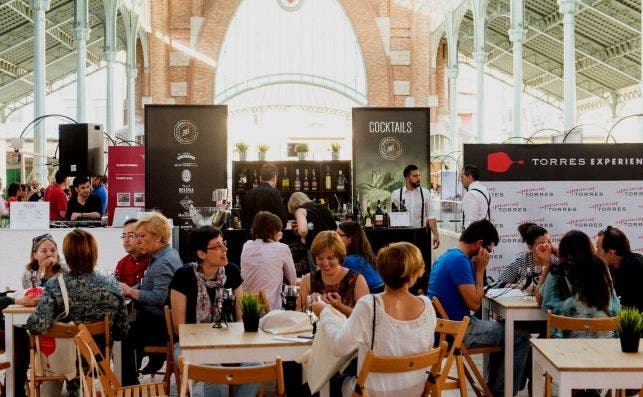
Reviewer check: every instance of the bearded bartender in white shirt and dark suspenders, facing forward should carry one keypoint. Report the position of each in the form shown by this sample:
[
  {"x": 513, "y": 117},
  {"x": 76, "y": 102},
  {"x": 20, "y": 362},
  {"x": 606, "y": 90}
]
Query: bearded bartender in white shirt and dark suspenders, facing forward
[{"x": 417, "y": 201}]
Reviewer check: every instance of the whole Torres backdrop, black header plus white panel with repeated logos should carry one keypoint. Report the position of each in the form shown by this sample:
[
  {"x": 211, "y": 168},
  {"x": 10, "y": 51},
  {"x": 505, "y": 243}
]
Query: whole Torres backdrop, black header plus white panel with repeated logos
[{"x": 560, "y": 187}]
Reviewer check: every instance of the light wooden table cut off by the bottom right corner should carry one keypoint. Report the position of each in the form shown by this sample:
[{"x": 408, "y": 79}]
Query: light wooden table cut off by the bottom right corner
[{"x": 585, "y": 364}]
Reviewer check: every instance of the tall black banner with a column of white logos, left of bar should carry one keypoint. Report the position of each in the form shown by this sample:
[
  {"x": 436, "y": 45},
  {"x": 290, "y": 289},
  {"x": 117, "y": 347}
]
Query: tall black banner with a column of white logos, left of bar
[{"x": 186, "y": 158}]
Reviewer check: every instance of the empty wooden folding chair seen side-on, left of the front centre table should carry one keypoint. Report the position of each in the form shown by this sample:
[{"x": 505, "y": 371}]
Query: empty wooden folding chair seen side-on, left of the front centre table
[{"x": 109, "y": 382}]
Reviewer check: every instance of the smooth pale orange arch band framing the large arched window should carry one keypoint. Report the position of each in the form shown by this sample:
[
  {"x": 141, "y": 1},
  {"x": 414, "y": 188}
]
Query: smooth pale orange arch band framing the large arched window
[{"x": 201, "y": 76}]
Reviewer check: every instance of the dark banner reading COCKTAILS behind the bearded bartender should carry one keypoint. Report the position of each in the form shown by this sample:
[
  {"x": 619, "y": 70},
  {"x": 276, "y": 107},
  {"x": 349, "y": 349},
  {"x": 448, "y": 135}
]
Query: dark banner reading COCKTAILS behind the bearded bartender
[{"x": 385, "y": 140}]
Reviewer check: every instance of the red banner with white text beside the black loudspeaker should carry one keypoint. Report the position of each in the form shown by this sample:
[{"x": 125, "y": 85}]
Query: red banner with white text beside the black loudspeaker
[{"x": 126, "y": 180}]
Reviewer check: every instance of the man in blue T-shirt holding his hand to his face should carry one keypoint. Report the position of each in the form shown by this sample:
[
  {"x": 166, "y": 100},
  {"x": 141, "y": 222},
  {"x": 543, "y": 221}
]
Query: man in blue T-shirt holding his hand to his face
[{"x": 457, "y": 280}]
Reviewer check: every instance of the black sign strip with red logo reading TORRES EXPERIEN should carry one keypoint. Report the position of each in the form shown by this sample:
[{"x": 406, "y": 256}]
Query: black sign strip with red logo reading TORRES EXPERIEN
[{"x": 556, "y": 162}]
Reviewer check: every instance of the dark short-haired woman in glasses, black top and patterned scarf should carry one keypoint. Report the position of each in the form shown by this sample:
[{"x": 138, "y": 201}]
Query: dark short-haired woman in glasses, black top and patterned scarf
[{"x": 196, "y": 290}]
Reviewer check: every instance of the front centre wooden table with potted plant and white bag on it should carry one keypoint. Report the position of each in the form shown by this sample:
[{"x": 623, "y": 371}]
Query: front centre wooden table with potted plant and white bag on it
[{"x": 203, "y": 344}]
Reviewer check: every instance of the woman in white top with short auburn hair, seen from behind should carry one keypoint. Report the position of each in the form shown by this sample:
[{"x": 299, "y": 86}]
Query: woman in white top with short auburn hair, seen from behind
[{"x": 392, "y": 323}]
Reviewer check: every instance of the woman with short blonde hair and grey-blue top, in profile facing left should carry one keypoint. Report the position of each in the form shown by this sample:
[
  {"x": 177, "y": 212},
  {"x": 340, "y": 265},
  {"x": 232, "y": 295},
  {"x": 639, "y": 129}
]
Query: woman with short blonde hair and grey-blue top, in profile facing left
[{"x": 153, "y": 238}]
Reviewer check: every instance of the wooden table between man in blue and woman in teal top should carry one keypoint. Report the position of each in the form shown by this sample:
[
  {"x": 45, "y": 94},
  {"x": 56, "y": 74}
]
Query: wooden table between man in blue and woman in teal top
[{"x": 512, "y": 309}]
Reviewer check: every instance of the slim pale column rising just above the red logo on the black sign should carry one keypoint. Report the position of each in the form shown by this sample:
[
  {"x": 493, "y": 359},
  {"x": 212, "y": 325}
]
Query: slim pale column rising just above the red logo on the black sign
[{"x": 517, "y": 37}]
